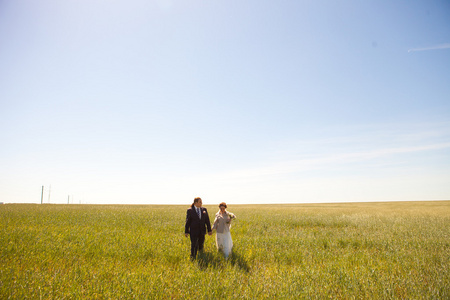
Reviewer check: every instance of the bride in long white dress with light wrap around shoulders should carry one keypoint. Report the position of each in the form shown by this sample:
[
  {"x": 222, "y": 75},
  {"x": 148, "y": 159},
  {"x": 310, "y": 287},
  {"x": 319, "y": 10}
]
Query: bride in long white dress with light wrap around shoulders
[{"x": 222, "y": 224}]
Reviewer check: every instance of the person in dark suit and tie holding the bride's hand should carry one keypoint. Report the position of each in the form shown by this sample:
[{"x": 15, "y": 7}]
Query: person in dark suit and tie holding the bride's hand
[{"x": 196, "y": 220}]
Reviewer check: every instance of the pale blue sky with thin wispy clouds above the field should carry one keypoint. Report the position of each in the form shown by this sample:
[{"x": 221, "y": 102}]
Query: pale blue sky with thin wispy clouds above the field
[{"x": 159, "y": 101}]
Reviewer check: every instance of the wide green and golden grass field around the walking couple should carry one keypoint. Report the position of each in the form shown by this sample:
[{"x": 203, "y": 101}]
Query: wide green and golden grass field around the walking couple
[{"x": 351, "y": 251}]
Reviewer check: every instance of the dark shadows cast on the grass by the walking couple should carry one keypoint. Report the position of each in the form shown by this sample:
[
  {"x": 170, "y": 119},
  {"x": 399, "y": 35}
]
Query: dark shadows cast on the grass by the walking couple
[{"x": 217, "y": 261}]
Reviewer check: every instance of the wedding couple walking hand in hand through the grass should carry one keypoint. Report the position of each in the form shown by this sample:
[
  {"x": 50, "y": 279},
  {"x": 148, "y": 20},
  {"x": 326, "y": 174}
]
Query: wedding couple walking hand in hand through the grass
[{"x": 197, "y": 221}]
